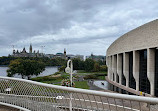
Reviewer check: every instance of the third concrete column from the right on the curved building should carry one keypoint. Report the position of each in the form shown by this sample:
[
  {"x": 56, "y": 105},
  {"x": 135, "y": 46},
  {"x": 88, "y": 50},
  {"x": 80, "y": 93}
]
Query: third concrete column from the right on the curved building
[{"x": 126, "y": 67}]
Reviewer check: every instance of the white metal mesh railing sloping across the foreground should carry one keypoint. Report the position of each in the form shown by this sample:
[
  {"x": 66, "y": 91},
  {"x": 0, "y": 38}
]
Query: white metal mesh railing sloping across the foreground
[{"x": 37, "y": 96}]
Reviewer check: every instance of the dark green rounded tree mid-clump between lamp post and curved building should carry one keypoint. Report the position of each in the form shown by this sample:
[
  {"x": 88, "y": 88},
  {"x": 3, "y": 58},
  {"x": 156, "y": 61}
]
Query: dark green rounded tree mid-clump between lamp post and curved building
[{"x": 89, "y": 64}]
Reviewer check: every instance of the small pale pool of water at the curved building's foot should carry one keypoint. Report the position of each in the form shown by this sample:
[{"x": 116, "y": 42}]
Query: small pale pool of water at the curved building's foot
[{"x": 101, "y": 84}]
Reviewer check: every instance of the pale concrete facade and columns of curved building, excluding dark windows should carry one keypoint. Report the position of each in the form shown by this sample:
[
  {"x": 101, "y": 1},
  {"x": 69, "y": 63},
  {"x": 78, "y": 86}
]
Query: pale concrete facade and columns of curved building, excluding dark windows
[{"x": 143, "y": 37}]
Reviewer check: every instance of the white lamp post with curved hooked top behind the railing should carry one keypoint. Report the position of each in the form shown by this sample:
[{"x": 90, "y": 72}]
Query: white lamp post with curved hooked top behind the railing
[{"x": 69, "y": 69}]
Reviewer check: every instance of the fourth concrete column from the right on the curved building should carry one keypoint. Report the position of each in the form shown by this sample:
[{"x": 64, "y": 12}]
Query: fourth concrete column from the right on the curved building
[{"x": 119, "y": 67}]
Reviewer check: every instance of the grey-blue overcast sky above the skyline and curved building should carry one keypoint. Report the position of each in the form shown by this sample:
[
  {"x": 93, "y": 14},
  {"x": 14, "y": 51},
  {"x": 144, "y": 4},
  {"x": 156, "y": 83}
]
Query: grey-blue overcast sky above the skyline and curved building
[{"x": 80, "y": 26}]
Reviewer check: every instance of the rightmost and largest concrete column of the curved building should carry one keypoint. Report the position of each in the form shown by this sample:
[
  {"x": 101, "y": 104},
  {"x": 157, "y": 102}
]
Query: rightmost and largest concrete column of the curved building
[{"x": 151, "y": 69}]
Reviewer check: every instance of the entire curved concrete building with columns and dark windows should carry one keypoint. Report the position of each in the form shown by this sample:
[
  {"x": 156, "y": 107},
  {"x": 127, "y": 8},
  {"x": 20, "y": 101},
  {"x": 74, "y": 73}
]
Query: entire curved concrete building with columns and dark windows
[{"x": 132, "y": 61}]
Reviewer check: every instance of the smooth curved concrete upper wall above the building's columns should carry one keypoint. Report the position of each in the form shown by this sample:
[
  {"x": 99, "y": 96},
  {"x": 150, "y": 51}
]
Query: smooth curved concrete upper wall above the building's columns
[{"x": 143, "y": 37}]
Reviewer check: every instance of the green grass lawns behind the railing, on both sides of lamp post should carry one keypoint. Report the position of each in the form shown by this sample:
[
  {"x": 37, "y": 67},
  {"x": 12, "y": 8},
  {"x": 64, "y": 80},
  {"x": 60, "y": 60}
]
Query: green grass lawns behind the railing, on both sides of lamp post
[{"x": 78, "y": 84}]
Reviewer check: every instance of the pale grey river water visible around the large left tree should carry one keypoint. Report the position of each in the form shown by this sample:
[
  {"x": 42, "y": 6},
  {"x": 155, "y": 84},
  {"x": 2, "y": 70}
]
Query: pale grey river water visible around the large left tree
[{"x": 48, "y": 71}]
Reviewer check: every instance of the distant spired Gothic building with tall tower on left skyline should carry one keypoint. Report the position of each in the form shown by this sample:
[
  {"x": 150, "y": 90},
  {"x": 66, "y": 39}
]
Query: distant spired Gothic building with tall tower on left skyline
[{"x": 24, "y": 53}]
